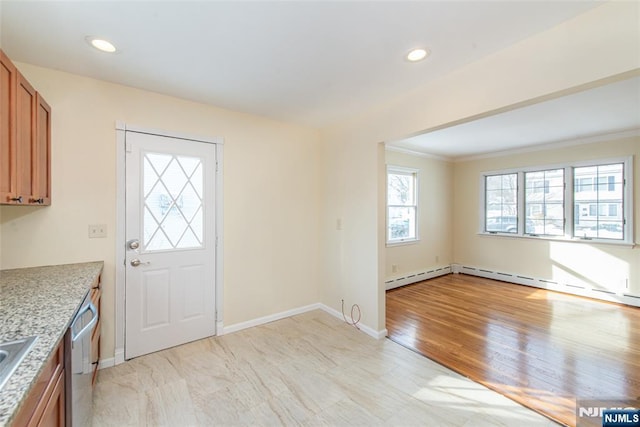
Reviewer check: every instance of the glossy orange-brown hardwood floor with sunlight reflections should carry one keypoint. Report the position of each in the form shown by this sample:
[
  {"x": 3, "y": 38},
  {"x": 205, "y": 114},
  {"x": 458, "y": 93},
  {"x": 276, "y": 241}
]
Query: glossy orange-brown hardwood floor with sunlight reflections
[{"x": 540, "y": 348}]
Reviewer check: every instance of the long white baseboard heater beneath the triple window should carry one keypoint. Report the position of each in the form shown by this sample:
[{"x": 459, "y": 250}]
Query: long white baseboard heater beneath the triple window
[{"x": 577, "y": 288}]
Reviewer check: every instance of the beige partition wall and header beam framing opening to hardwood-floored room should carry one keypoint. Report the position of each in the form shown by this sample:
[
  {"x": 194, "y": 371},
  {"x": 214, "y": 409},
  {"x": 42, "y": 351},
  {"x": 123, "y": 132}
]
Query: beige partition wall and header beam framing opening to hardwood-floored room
[{"x": 598, "y": 44}]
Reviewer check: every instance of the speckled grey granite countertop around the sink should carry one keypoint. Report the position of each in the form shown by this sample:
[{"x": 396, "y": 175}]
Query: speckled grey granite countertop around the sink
[{"x": 38, "y": 301}]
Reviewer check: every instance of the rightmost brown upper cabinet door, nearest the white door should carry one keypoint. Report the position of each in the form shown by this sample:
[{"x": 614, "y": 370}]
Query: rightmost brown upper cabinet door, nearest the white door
[{"x": 42, "y": 153}]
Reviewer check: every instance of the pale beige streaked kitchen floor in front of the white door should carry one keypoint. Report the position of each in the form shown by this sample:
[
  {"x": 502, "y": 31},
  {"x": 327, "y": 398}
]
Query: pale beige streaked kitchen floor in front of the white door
[{"x": 311, "y": 369}]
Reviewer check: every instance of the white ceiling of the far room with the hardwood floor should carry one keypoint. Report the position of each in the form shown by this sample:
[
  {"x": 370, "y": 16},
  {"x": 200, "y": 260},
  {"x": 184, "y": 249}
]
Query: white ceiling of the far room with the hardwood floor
[{"x": 603, "y": 110}]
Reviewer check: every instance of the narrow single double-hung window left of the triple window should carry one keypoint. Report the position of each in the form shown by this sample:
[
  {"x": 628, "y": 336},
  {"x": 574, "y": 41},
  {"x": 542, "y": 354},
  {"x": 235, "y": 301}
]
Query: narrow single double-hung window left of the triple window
[{"x": 402, "y": 205}]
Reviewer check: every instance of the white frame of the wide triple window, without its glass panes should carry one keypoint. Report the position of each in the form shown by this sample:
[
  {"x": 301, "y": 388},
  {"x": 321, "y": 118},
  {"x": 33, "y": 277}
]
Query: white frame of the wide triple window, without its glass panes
[{"x": 627, "y": 204}]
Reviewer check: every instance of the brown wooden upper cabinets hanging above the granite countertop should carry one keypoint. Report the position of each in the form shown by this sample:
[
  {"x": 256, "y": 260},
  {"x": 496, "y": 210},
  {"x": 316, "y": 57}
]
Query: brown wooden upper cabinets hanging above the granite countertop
[{"x": 25, "y": 140}]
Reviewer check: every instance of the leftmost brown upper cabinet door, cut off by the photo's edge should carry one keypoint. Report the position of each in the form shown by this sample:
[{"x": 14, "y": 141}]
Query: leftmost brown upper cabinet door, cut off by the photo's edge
[{"x": 7, "y": 129}]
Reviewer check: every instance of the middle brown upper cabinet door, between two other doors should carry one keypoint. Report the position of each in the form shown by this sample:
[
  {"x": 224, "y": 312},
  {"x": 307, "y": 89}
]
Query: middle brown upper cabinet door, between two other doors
[{"x": 25, "y": 141}]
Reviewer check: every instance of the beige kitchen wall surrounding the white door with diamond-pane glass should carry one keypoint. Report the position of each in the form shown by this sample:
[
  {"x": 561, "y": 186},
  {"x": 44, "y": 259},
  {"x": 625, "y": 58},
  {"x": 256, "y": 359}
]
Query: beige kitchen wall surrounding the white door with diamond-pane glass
[{"x": 271, "y": 187}]
